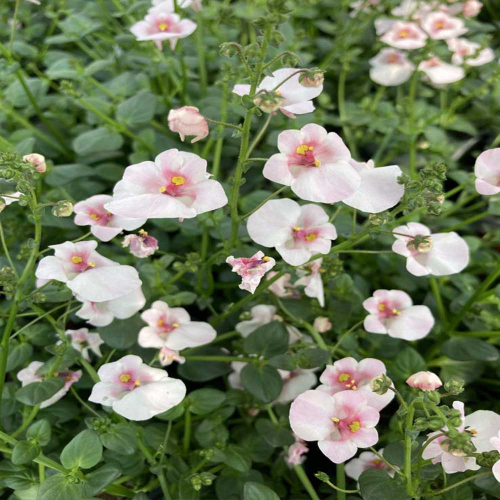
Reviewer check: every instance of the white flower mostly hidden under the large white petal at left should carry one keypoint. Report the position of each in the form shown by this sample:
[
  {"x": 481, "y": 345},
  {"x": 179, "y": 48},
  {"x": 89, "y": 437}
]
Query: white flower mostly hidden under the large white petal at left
[{"x": 103, "y": 313}]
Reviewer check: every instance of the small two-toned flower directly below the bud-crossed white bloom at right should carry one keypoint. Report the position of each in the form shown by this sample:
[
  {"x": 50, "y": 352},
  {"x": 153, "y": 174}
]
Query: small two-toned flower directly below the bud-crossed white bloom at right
[{"x": 393, "y": 312}]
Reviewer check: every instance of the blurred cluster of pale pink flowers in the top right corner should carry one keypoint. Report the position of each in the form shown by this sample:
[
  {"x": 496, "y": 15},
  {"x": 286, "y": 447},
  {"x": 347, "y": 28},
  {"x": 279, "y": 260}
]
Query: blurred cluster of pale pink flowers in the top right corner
[{"x": 419, "y": 25}]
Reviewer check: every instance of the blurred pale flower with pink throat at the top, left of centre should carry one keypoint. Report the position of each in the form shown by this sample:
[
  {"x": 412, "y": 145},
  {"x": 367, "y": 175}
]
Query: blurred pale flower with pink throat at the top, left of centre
[{"x": 162, "y": 24}]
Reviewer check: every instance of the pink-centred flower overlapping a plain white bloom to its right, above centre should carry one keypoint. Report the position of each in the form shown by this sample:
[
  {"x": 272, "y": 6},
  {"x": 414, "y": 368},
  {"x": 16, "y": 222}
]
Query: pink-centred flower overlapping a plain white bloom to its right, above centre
[{"x": 314, "y": 163}]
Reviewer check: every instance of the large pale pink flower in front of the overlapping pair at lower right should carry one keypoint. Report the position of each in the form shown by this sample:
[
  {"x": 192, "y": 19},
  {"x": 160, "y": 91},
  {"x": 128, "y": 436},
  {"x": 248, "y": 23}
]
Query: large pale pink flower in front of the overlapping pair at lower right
[{"x": 341, "y": 423}]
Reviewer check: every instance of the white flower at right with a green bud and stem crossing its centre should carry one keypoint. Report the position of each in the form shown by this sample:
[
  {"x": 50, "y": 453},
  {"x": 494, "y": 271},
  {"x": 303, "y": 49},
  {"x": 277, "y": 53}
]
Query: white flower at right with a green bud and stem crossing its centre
[{"x": 442, "y": 254}]
